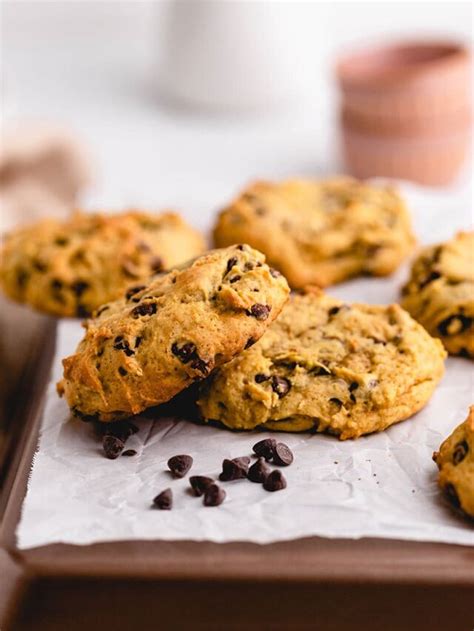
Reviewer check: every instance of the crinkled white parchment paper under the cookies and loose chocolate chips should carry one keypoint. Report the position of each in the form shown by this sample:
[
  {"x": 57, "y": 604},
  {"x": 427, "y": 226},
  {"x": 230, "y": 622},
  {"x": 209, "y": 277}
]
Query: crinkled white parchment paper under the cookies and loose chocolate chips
[{"x": 383, "y": 485}]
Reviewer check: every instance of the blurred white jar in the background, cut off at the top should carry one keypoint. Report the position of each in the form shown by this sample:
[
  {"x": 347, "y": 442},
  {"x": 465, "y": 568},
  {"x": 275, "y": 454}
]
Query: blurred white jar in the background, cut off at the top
[{"x": 229, "y": 54}]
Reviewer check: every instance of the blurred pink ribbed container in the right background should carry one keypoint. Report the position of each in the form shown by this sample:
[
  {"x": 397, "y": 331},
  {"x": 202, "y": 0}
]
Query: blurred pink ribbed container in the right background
[{"x": 407, "y": 110}]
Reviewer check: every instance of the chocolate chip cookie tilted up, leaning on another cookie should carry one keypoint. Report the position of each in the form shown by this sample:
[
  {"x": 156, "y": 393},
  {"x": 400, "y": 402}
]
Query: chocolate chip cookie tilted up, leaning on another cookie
[{"x": 143, "y": 349}]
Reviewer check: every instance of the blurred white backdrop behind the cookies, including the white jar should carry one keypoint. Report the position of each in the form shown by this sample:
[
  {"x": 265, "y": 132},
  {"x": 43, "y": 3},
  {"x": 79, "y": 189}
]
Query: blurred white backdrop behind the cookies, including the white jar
[{"x": 180, "y": 104}]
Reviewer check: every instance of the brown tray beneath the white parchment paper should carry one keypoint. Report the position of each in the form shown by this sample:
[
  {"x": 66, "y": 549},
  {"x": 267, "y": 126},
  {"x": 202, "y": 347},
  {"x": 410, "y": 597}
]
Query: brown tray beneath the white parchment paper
[{"x": 312, "y": 583}]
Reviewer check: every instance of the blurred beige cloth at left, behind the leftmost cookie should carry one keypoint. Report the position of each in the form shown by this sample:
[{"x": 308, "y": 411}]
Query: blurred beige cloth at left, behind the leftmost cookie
[{"x": 42, "y": 171}]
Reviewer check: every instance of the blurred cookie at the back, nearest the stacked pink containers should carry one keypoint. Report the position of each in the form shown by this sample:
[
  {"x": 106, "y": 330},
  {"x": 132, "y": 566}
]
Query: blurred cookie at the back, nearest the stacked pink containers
[{"x": 320, "y": 233}]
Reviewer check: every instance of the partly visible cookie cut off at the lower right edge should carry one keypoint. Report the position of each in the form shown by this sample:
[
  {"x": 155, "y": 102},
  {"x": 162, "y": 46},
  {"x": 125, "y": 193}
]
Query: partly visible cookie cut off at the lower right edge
[{"x": 455, "y": 460}]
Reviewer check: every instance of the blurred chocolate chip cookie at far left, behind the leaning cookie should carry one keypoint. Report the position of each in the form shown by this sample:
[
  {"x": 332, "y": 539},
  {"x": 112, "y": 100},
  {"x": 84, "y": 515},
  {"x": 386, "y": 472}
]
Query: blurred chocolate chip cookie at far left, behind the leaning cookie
[{"x": 71, "y": 267}]
